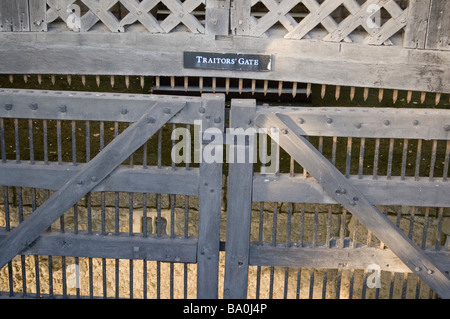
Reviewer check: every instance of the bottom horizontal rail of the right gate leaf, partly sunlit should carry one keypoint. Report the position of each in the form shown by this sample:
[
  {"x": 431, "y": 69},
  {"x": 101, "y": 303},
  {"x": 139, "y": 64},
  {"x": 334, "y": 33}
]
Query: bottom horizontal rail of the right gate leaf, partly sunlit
[{"x": 337, "y": 258}]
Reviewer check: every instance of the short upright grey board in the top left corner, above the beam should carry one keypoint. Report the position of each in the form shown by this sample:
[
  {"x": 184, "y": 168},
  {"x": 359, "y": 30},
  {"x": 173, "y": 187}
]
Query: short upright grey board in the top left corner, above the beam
[{"x": 14, "y": 15}]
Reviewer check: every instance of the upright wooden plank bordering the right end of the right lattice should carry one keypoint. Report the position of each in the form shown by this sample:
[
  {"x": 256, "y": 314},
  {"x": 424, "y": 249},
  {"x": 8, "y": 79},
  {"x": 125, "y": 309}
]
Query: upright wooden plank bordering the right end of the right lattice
[{"x": 417, "y": 24}]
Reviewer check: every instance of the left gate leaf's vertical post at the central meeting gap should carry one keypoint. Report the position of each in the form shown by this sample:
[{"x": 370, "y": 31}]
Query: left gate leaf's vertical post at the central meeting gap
[{"x": 210, "y": 202}]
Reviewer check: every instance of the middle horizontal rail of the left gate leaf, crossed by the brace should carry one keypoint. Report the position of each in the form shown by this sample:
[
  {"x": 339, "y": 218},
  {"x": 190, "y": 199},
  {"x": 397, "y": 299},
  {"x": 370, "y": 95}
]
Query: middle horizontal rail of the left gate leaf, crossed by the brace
[{"x": 152, "y": 180}]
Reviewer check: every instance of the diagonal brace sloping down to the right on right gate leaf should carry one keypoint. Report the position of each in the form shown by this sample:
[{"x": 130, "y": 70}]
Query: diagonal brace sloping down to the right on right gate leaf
[{"x": 337, "y": 185}]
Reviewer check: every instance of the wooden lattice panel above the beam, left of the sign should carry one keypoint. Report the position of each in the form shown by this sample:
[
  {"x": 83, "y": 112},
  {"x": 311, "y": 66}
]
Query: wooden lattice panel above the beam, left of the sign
[{"x": 142, "y": 11}]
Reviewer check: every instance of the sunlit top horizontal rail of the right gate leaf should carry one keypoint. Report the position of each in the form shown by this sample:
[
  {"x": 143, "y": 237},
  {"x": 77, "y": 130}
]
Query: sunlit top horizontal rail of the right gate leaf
[{"x": 369, "y": 122}]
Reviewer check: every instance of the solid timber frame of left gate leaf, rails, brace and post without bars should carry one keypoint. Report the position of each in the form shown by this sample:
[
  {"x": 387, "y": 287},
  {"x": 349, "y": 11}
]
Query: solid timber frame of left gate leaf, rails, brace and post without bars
[{"x": 103, "y": 173}]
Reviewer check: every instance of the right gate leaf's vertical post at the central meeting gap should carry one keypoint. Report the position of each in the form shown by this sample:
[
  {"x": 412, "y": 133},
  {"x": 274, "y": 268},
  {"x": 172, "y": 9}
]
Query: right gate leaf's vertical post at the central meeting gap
[{"x": 239, "y": 206}]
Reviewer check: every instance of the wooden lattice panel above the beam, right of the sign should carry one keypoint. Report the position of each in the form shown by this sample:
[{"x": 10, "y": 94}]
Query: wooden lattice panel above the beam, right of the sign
[{"x": 354, "y": 16}]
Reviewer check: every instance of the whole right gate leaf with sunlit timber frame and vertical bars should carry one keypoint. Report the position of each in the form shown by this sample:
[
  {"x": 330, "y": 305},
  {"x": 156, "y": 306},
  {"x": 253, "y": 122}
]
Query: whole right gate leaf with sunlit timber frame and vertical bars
[{"x": 318, "y": 181}]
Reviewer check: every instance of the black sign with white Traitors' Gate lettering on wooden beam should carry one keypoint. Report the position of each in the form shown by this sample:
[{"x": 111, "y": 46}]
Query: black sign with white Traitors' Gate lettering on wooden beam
[{"x": 227, "y": 61}]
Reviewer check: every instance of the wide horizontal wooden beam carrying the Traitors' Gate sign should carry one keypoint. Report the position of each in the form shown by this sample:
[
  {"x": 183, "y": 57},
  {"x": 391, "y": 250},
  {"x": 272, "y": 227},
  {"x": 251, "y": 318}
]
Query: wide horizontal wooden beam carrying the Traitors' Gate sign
[{"x": 306, "y": 61}]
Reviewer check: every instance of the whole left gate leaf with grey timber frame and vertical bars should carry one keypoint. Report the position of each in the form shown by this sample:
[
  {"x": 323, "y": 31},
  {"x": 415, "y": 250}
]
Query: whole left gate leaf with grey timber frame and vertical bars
[{"x": 105, "y": 173}]
